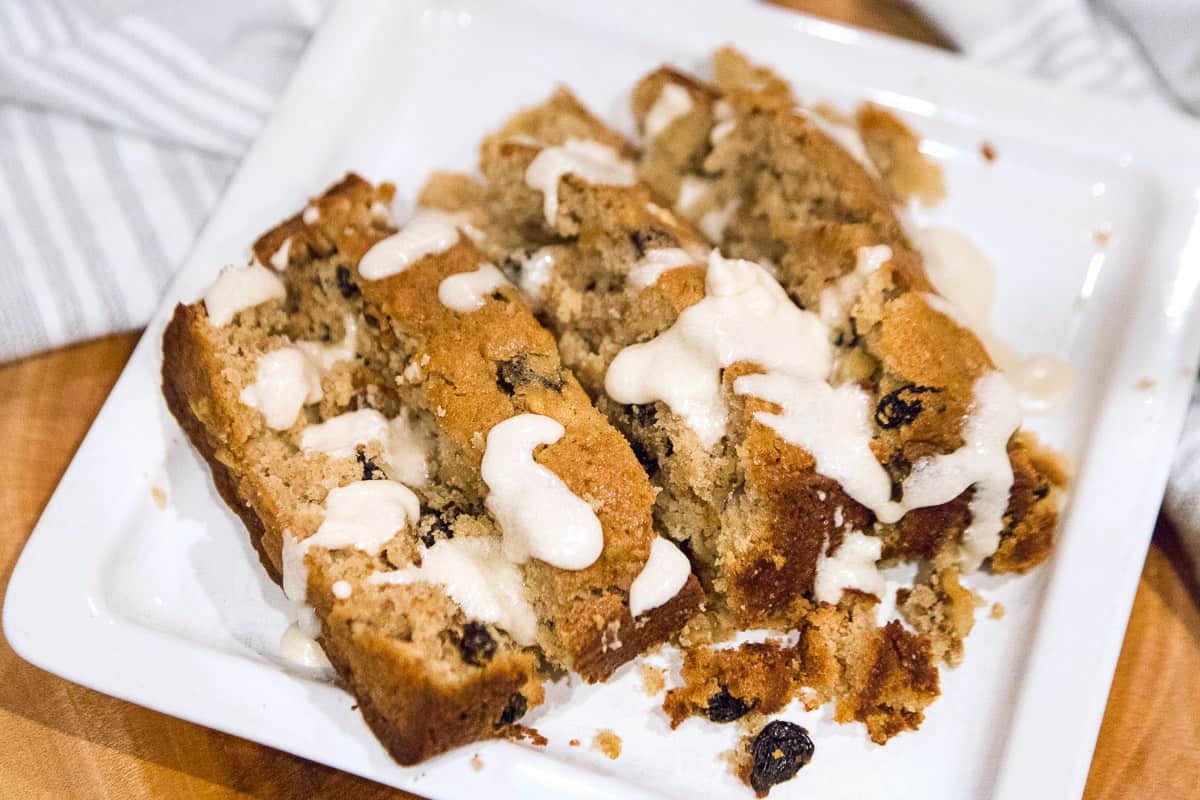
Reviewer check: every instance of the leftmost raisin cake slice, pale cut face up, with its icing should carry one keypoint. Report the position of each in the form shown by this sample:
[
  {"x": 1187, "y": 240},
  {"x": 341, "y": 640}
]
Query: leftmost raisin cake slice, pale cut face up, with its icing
[{"x": 314, "y": 452}]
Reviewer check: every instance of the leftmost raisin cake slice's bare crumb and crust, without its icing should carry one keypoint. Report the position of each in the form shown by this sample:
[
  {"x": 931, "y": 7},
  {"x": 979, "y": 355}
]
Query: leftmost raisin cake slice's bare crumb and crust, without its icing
[{"x": 427, "y": 676}]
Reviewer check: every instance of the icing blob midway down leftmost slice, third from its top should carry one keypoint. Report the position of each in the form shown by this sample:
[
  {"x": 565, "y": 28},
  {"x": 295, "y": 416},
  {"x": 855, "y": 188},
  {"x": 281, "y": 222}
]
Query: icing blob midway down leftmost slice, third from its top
[{"x": 404, "y": 449}]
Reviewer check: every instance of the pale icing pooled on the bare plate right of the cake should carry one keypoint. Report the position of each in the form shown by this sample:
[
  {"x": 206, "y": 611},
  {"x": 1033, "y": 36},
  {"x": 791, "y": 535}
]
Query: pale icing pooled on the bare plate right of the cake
[{"x": 964, "y": 279}]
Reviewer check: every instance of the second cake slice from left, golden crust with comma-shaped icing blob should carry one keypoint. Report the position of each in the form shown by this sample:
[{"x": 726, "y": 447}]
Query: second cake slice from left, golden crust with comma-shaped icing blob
[{"x": 512, "y": 425}]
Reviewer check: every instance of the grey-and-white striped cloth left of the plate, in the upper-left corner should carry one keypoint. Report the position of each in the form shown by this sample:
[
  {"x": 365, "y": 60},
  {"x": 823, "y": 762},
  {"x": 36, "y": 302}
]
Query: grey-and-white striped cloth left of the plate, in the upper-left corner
[{"x": 121, "y": 124}]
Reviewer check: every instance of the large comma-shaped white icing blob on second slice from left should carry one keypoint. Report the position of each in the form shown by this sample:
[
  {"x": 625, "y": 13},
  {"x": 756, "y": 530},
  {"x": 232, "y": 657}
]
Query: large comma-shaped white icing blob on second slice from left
[{"x": 538, "y": 515}]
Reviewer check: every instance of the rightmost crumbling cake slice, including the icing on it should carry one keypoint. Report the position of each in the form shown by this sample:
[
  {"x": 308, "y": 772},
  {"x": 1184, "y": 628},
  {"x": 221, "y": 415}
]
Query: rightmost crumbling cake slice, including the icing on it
[{"x": 943, "y": 466}]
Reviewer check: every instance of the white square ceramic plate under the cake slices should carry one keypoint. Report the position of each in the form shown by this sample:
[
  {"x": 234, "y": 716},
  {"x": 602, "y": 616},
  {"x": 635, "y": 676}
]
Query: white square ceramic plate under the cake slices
[{"x": 169, "y": 607}]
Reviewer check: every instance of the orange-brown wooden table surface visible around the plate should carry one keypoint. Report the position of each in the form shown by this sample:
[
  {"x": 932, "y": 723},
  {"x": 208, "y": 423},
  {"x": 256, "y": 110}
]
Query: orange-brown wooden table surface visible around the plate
[{"x": 61, "y": 741}]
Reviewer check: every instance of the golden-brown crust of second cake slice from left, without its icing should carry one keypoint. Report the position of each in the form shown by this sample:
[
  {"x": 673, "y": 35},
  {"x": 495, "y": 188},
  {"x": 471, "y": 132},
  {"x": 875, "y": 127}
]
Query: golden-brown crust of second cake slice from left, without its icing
[{"x": 477, "y": 369}]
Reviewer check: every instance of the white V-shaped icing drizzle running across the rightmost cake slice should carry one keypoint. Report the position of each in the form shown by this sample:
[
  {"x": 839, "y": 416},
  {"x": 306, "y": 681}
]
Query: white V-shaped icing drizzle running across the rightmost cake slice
[{"x": 832, "y": 425}]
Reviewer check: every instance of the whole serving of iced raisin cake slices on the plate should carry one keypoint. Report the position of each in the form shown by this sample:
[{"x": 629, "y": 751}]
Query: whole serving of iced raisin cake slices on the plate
[{"x": 422, "y": 428}]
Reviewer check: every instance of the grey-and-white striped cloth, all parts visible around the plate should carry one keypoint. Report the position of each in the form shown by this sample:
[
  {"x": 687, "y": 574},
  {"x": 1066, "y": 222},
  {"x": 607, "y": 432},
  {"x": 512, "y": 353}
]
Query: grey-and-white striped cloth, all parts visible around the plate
[{"x": 121, "y": 122}]
